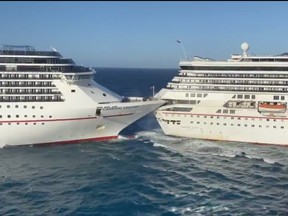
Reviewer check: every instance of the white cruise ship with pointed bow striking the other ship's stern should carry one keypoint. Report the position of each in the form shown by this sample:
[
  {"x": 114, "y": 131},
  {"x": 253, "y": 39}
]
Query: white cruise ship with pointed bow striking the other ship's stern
[{"x": 46, "y": 99}]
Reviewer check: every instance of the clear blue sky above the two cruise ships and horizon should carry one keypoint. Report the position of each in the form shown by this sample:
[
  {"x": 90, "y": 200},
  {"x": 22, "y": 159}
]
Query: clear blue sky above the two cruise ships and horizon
[{"x": 144, "y": 34}]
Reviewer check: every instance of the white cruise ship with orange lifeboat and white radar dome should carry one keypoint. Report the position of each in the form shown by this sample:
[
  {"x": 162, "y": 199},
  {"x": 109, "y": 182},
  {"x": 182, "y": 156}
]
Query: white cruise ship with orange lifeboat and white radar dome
[{"x": 241, "y": 99}]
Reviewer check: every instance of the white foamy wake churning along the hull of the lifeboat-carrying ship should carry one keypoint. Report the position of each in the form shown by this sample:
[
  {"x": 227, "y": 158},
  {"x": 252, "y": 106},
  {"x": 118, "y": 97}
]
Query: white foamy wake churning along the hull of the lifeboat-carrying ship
[{"x": 184, "y": 146}]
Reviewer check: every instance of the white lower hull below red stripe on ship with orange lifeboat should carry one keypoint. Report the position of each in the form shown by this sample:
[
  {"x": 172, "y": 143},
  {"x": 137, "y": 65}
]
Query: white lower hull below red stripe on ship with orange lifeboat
[{"x": 250, "y": 129}]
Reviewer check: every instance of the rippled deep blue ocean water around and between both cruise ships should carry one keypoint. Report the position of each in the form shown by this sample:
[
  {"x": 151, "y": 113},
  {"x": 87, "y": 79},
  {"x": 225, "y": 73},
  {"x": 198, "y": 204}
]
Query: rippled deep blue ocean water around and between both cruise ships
[{"x": 151, "y": 174}]
